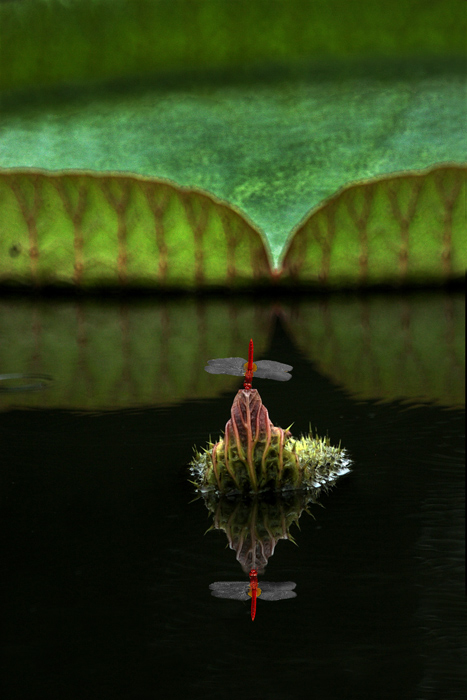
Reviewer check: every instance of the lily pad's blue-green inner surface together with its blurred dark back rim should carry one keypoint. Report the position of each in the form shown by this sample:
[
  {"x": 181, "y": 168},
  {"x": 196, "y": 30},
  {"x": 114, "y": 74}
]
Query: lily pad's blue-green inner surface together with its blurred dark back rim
[{"x": 270, "y": 106}]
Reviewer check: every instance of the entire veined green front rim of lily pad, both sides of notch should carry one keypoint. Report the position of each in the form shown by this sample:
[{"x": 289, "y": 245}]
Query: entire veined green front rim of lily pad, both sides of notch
[{"x": 89, "y": 229}]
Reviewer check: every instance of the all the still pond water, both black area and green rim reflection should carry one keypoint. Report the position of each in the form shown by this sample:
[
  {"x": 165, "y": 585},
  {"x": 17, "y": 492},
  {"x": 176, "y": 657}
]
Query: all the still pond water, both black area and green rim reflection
[{"x": 109, "y": 559}]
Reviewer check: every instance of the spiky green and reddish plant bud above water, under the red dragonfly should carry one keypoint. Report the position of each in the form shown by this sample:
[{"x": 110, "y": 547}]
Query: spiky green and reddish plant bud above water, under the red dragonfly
[{"x": 255, "y": 456}]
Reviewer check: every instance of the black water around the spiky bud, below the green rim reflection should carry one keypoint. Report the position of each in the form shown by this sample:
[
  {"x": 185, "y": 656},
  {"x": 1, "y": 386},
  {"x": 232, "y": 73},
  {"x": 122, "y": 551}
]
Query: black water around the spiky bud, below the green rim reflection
[{"x": 107, "y": 565}]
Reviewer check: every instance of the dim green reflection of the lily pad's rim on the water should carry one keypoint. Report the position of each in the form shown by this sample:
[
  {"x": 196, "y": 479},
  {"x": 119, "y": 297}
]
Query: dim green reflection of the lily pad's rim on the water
[{"x": 110, "y": 355}]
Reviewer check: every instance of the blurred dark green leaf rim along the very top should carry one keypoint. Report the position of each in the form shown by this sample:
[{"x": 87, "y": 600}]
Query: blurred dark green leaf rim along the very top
[{"x": 53, "y": 43}]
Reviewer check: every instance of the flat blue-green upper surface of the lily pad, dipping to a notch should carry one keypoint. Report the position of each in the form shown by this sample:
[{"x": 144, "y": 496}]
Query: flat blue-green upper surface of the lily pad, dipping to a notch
[{"x": 273, "y": 148}]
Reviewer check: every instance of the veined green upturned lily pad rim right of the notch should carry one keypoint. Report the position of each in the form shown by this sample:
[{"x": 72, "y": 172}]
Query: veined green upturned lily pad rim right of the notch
[{"x": 395, "y": 229}]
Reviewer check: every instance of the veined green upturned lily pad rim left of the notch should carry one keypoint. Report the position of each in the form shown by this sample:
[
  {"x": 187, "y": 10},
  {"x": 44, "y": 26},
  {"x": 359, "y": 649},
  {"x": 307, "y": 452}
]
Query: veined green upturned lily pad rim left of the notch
[{"x": 88, "y": 229}]
